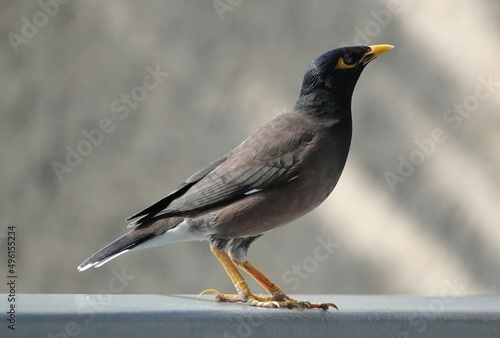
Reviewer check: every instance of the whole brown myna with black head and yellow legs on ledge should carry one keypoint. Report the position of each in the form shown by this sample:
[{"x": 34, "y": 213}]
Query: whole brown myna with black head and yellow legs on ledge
[{"x": 281, "y": 172}]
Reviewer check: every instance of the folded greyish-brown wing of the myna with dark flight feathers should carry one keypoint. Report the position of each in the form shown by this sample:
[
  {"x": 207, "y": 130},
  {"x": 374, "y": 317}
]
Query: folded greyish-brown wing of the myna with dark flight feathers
[{"x": 266, "y": 159}]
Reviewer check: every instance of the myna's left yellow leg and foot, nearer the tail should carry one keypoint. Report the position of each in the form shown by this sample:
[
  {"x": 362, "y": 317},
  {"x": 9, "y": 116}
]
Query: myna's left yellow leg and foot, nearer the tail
[{"x": 244, "y": 294}]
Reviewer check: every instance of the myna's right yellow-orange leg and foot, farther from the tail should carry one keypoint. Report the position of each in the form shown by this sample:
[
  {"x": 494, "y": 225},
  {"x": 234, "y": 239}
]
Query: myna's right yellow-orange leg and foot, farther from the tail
[{"x": 276, "y": 293}]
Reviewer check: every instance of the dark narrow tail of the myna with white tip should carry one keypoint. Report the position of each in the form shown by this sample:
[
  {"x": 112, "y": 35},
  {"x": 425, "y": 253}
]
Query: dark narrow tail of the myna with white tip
[{"x": 128, "y": 242}]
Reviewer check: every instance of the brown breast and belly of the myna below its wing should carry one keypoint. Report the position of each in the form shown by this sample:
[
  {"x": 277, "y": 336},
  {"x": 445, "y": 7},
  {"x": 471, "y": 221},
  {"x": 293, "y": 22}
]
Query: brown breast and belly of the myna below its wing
[{"x": 319, "y": 170}]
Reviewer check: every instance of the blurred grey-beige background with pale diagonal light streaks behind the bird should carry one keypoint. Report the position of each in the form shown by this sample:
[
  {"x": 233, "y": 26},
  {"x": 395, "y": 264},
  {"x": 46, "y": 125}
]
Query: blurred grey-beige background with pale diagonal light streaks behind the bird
[{"x": 107, "y": 106}]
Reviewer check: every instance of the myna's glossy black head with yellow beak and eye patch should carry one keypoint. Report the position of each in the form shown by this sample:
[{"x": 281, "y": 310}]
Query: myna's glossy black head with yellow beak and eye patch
[{"x": 333, "y": 75}]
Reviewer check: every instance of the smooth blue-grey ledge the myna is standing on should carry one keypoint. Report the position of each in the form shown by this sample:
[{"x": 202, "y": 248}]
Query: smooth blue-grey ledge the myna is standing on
[{"x": 48, "y": 315}]
